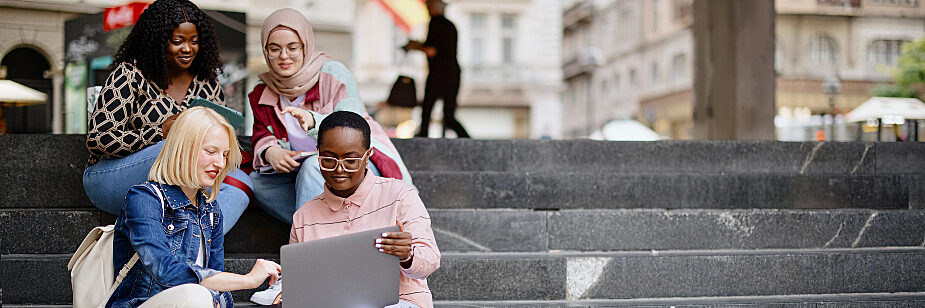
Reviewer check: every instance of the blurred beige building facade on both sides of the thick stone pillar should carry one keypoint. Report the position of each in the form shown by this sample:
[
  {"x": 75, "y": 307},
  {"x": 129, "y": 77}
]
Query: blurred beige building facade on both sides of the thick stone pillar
[{"x": 627, "y": 59}]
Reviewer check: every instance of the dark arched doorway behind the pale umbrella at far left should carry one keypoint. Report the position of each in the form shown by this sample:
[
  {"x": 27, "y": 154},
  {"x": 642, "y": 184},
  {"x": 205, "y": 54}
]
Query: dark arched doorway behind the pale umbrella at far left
[{"x": 27, "y": 67}]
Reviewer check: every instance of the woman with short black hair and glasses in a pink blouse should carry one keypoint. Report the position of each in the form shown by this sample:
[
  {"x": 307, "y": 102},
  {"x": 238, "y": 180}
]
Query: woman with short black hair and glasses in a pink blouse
[{"x": 354, "y": 200}]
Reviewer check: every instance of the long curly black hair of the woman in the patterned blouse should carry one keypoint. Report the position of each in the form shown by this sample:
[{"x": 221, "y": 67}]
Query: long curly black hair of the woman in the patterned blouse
[{"x": 146, "y": 45}]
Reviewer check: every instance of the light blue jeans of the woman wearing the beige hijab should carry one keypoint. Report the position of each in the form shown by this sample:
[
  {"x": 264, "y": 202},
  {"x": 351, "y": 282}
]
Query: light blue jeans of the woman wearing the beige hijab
[{"x": 281, "y": 194}]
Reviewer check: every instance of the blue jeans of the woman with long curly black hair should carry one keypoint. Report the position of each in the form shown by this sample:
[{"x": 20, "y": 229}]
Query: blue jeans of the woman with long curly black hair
[{"x": 107, "y": 181}]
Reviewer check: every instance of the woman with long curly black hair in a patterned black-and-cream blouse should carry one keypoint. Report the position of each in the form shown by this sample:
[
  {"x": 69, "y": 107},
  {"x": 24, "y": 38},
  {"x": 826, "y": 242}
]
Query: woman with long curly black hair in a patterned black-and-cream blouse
[{"x": 170, "y": 57}]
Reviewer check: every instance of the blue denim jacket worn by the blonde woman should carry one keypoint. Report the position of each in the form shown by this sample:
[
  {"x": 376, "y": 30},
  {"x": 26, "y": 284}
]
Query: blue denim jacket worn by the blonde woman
[{"x": 167, "y": 243}]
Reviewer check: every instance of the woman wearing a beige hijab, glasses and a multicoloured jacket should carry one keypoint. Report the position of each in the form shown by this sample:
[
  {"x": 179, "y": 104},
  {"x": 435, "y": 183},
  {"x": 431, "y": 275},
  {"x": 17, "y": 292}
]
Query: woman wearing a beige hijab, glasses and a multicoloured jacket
[{"x": 301, "y": 88}]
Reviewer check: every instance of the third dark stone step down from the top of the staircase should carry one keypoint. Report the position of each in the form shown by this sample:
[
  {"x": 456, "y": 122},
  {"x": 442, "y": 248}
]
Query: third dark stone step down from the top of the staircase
[{"x": 480, "y": 230}]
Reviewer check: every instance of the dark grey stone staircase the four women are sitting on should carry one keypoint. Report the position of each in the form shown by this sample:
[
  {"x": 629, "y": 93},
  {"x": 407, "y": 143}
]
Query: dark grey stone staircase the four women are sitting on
[{"x": 525, "y": 223}]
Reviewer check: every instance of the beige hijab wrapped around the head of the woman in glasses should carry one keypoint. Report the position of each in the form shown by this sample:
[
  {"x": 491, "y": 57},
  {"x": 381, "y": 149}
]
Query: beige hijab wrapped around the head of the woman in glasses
[{"x": 307, "y": 76}]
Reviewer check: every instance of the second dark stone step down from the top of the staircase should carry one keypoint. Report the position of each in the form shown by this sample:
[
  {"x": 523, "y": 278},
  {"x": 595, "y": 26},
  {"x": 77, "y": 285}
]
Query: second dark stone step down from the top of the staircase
[{"x": 572, "y": 190}]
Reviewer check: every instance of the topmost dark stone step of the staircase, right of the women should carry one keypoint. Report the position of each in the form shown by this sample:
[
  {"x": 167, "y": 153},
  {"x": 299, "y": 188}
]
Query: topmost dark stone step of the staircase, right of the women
[{"x": 700, "y": 157}]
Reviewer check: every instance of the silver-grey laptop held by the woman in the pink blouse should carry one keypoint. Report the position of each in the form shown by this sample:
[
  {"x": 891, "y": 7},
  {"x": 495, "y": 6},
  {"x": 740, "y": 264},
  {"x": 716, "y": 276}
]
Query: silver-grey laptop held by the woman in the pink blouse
[{"x": 341, "y": 271}]
